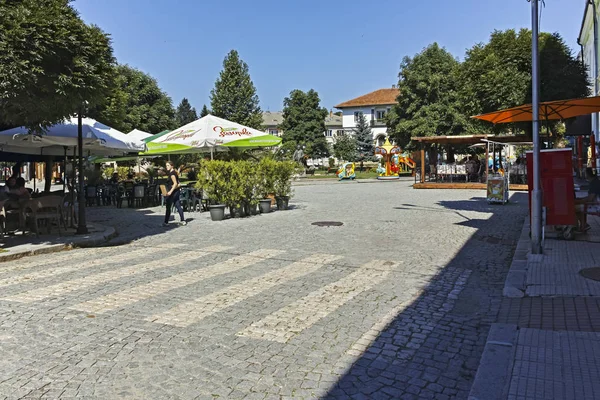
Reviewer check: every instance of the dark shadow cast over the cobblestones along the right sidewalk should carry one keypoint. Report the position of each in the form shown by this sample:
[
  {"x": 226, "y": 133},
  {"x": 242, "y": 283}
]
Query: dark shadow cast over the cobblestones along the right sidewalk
[{"x": 432, "y": 348}]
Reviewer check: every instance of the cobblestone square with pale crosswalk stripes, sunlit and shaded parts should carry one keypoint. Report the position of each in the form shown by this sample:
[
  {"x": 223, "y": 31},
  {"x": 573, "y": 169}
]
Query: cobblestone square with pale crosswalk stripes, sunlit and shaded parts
[{"x": 396, "y": 303}]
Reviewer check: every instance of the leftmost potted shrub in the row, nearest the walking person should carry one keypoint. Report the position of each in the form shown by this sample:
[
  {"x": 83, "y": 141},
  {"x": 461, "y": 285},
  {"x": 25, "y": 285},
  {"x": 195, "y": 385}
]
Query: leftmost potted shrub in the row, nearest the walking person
[{"x": 213, "y": 178}]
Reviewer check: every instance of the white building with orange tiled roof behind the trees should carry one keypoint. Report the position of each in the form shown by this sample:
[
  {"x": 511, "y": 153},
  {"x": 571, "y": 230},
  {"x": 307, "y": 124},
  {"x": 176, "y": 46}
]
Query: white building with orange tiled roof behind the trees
[{"x": 374, "y": 106}]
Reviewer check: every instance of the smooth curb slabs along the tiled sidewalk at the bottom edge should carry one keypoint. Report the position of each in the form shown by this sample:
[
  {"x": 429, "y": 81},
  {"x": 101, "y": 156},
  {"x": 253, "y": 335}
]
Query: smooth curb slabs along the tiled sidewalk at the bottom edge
[{"x": 493, "y": 375}]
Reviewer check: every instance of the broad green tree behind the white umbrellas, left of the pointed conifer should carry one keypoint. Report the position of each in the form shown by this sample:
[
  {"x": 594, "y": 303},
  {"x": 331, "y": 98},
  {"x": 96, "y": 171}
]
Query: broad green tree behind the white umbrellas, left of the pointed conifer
[{"x": 136, "y": 102}]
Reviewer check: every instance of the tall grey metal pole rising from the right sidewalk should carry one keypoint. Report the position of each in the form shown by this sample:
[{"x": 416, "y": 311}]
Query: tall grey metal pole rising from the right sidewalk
[{"x": 536, "y": 195}]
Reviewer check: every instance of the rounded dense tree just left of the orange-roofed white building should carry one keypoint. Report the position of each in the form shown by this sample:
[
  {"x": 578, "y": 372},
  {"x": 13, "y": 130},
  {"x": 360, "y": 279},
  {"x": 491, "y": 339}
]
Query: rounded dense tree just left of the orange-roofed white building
[{"x": 304, "y": 123}]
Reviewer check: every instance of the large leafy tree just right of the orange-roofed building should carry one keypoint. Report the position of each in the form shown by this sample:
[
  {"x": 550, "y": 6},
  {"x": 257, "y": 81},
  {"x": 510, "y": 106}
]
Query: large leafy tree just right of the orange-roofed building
[{"x": 428, "y": 103}]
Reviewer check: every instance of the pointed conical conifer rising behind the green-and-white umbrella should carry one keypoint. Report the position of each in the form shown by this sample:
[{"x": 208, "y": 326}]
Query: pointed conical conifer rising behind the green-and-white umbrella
[{"x": 234, "y": 95}]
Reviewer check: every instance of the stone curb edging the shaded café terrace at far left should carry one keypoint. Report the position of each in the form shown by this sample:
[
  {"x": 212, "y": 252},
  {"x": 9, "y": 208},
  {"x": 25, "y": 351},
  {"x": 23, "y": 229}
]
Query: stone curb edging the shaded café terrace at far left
[{"x": 103, "y": 235}]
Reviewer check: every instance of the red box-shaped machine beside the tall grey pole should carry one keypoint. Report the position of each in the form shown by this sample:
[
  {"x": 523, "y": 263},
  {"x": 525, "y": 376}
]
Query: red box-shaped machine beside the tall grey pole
[{"x": 558, "y": 192}]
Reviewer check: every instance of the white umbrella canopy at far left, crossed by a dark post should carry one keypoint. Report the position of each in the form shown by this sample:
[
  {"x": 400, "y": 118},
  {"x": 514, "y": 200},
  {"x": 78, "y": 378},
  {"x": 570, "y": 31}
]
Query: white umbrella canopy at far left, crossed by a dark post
[{"x": 98, "y": 139}]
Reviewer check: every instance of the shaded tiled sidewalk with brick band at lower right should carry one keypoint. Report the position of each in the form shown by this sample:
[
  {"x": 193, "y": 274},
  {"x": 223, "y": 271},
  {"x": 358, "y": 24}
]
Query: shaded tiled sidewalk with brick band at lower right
[{"x": 546, "y": 342}]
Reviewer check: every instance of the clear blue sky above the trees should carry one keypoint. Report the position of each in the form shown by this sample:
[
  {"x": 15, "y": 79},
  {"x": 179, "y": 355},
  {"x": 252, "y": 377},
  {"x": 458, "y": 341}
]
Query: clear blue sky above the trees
[{"x": 342, "y": 49}]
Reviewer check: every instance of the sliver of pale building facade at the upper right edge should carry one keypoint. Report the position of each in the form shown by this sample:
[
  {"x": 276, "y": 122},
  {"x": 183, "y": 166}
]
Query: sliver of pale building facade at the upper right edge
[{"x": 588, "y": 40}]
